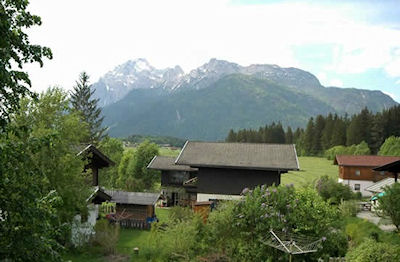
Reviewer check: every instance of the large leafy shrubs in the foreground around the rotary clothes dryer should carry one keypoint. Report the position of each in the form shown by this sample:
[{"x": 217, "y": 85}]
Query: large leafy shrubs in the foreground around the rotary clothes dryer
[{"x": 238, "y": 230}]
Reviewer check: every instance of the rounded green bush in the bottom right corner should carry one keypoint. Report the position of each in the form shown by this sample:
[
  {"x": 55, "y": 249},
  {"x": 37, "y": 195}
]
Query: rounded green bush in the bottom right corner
[{"x": 373, "y": 251}]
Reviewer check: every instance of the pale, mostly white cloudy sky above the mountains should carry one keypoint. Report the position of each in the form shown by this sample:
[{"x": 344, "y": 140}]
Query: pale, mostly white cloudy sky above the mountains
[{"x": 344, "y": 43}]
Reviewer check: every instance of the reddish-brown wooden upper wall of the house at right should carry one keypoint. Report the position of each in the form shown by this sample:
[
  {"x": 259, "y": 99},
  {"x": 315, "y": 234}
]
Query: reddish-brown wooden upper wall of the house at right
[{"x": 366, "y": 173}]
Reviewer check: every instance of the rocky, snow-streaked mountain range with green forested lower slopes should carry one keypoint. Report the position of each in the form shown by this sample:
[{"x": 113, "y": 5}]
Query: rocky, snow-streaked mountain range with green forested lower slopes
[{"x": 204, "y": 104}]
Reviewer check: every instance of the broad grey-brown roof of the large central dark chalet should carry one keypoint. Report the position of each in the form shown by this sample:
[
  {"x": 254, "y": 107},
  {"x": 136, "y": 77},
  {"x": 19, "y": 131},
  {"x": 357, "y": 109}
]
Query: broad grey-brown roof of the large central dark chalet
[{"x": 239, "y": 155}]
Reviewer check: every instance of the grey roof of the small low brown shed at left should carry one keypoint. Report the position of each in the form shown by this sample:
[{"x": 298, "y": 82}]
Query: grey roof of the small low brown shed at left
[{"x": 133, "y": 198}]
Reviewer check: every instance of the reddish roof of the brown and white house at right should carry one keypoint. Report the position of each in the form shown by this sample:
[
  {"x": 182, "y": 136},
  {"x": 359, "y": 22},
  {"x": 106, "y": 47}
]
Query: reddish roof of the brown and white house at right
[{"x": 373, "y": 161}]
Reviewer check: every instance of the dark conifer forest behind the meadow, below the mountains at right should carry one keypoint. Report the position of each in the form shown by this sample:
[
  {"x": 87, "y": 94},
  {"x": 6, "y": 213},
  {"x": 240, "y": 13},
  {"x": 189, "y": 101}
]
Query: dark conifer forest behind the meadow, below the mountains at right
[{"x": 325, "y": 132}]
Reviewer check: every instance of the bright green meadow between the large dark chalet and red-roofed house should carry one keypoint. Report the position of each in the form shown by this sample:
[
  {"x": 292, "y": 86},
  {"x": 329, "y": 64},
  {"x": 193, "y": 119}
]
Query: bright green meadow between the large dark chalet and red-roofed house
[{"x": 311, "y": 168}]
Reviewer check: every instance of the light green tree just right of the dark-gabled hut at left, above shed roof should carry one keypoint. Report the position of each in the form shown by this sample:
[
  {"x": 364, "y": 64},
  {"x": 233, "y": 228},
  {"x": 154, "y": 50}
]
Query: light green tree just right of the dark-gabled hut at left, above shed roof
[{"x": 114, "y": 149}]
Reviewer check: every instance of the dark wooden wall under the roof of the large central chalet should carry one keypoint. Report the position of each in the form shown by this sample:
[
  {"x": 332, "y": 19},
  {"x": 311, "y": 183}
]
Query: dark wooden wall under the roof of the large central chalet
[{"x": 233, "y": 181}]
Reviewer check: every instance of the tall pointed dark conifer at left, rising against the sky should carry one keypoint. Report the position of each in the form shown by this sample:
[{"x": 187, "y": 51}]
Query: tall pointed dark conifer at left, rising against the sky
[{"x": 82, "y": 101}]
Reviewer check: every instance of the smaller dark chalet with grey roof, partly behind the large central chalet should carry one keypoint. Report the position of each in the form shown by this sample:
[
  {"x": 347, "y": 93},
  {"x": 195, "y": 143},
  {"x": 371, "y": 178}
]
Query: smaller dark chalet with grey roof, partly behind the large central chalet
[{"x": 174, "y": 180}]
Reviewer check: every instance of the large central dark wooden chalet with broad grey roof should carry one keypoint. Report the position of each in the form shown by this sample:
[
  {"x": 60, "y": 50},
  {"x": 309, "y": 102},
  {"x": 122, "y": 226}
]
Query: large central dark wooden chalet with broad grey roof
[{"x": 225, "y": 169}]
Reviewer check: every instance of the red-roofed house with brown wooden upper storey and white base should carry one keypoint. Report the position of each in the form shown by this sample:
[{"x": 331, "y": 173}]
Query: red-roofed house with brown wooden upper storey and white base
[{"x": 358, "y": 171}]
